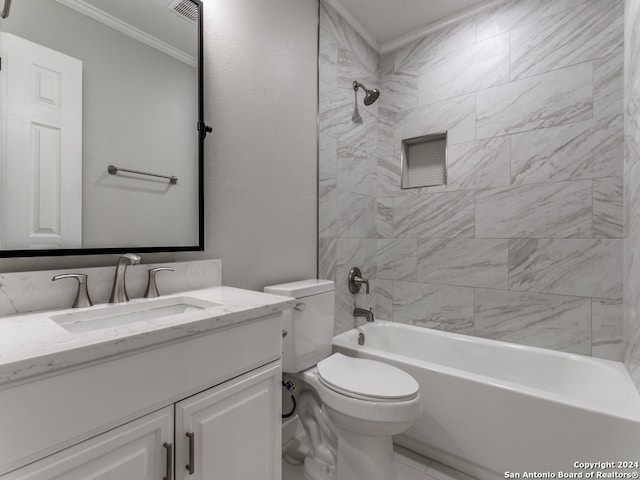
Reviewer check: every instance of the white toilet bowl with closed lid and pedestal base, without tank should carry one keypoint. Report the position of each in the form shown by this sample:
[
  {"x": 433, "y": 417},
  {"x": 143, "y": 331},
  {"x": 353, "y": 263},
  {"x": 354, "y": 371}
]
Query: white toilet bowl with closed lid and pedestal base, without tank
[{"x": 365, "y": 403}]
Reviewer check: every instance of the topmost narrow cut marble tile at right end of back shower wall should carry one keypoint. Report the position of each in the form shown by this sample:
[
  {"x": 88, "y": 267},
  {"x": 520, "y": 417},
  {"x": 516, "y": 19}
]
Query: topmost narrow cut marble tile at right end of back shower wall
[{"x": 608, "y": 86}]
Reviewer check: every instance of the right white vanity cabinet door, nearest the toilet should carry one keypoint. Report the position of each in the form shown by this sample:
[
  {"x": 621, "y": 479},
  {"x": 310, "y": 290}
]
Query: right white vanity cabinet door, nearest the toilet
[{"x": 236, "y": 429}]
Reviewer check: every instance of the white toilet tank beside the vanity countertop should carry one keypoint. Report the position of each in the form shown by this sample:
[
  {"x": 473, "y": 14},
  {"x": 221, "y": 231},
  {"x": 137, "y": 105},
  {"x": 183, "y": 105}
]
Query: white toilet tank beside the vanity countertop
[{"x": 309, "y": 325}]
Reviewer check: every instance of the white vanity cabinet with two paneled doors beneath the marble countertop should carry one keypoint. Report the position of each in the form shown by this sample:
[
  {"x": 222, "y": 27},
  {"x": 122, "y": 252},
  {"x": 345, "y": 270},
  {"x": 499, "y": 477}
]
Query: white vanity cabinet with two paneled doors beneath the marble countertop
[{"x": 112, "y": 418}]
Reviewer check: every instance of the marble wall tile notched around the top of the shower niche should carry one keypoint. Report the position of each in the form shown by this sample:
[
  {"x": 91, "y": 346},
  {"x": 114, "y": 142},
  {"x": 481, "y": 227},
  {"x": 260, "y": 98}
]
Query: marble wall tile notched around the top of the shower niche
[{"x": 457, "y": 116}]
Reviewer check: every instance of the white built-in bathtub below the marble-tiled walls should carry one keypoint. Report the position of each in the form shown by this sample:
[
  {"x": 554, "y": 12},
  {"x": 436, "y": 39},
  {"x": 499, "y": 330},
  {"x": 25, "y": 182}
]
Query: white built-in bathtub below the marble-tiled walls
[{"x": 492, "y": 408}]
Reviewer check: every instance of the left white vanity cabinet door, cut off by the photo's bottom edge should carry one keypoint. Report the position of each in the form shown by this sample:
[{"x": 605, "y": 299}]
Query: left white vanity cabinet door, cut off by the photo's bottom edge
[{"x": 134, "y": 451}]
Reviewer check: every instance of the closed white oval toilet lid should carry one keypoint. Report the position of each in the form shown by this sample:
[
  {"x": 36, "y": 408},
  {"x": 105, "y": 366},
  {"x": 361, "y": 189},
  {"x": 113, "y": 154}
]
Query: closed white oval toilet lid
[{"x": 362, "y": 378}]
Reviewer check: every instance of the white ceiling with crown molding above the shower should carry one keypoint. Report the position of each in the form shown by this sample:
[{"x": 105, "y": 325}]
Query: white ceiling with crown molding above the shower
[{"x": 390, "y": 23}]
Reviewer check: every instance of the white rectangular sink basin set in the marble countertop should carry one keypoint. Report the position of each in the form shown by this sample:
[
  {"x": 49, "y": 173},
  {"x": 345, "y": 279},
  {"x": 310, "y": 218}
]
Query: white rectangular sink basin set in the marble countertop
[{"x": 107, "y": 316}]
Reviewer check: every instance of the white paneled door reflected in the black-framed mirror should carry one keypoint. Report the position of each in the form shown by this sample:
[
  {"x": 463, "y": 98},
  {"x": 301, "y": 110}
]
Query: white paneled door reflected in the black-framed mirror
[{"x": 41, "y": 154}]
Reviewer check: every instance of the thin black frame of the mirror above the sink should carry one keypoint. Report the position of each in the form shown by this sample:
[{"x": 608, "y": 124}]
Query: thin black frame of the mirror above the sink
[{"x": 201, "y": 130}]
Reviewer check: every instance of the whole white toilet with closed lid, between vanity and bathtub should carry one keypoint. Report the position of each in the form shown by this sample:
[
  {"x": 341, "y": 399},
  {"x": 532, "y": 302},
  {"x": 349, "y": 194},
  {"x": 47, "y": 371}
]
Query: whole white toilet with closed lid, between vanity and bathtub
[{"x": 351, "y": 406}]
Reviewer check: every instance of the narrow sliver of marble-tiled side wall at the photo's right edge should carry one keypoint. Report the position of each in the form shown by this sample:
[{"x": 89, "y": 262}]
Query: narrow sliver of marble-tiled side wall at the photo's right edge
[{"x": 631, "y": 325}]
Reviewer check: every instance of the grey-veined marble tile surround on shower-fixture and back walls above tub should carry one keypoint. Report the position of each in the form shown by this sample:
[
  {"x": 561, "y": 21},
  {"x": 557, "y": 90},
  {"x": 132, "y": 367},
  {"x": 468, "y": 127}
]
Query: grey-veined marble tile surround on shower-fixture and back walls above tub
[{"x": 525, "y": 242}]
